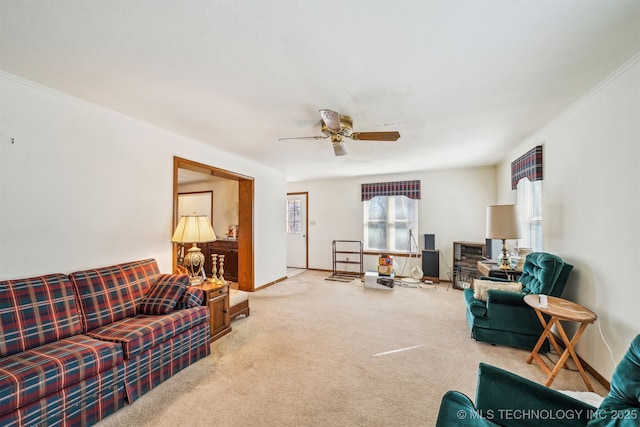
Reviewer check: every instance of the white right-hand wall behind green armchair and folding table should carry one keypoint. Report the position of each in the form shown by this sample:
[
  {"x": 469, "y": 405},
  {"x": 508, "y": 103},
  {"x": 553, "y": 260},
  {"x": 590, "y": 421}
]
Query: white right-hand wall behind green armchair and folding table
[{"x": 591, "y": 207}]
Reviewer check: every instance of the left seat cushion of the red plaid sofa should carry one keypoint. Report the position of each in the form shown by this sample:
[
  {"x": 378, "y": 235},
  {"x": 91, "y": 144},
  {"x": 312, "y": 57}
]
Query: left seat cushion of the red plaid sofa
[{"x": 28, "y": 376}]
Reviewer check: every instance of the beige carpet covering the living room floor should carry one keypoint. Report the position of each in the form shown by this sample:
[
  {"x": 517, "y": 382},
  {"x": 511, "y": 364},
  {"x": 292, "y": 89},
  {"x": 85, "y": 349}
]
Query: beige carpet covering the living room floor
[{"x": 323, "y": 353}]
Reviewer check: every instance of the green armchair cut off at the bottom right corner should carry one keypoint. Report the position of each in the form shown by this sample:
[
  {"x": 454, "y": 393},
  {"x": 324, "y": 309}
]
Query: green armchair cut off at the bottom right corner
[{"x": 506, "y": 399}]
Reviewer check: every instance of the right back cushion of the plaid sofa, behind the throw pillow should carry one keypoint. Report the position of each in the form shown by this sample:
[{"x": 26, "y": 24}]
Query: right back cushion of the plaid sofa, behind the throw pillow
[{"x": 112, "y": 293}]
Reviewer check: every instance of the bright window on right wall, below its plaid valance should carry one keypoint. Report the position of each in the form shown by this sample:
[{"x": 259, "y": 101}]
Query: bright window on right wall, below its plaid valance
[{"x": 530, "y": 209}]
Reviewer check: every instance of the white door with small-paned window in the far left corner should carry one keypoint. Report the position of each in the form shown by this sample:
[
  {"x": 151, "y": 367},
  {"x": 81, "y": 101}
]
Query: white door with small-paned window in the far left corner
[{"x": 297, "y": 230}]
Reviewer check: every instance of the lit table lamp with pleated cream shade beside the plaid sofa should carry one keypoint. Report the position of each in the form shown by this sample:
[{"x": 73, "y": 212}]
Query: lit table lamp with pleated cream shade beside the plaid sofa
[{"x": 194, "y": 229}]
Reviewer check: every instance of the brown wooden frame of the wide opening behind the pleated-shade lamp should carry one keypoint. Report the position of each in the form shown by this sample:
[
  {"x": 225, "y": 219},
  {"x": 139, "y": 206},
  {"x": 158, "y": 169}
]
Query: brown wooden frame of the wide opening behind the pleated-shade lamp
[{"x": 246, "y": 279}]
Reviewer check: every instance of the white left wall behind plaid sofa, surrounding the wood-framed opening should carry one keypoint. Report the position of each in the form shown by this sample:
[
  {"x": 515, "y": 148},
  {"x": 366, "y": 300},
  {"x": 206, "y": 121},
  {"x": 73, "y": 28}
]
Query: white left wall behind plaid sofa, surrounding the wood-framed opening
[{"x": 82, "y": 187}]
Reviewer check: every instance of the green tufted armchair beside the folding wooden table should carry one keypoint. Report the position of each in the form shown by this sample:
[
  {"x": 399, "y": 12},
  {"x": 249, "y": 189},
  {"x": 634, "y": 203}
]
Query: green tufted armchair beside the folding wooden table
[{"x": 505, "y": 318}]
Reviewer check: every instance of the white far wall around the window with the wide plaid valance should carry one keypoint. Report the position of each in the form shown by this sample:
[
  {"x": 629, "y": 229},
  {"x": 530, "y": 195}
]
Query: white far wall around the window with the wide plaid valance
[{"x": 452, "y": 207}]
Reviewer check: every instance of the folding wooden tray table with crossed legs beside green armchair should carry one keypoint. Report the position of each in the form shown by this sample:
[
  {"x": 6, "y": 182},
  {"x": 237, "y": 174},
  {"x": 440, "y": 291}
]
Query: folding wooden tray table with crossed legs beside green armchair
[{"x": 560, "y": 309}]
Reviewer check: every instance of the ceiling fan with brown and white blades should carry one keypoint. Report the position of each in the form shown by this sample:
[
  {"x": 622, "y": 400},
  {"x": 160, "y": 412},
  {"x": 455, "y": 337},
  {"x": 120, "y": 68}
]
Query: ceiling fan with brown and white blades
[{"x": 337, "y": 126}]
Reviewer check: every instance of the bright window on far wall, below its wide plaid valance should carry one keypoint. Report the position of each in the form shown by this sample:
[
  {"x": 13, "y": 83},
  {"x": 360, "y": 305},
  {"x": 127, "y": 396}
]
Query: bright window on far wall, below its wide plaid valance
[{"x": 387, "y": 222}]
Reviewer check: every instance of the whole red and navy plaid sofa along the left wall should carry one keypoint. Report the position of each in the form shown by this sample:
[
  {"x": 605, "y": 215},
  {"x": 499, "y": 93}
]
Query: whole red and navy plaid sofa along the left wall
[{"x": 74, "y": 348}]
